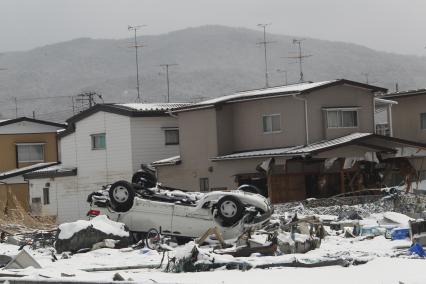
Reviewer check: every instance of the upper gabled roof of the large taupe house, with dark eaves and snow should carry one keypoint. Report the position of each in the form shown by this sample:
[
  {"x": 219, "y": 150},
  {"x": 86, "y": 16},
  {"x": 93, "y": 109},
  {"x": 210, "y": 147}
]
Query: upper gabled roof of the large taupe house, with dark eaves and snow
[{"x": 287, "y": 90}]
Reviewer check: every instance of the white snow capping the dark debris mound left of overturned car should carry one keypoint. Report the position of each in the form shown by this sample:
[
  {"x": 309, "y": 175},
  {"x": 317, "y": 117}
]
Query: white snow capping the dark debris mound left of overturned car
[{"x": 101, "y": 223}]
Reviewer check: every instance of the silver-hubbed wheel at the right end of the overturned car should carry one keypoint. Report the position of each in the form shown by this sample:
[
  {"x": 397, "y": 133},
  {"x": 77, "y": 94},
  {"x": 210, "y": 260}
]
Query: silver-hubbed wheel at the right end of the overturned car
[{"x": 230, "y": 209}]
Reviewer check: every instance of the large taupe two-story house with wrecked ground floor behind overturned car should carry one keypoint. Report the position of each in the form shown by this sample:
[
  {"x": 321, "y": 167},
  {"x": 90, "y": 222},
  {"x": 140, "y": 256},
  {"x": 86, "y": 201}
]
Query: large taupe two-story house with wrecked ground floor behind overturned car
[{"x": 224, "y": 140}]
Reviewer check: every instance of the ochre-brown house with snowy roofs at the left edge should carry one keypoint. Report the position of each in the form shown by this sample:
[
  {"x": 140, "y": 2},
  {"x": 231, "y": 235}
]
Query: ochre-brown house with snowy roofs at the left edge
[{"x": 26, "y": 144}]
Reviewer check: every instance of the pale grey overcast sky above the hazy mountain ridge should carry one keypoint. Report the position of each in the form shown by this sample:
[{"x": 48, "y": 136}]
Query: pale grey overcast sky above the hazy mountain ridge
[{"x": 390, "y": 25}]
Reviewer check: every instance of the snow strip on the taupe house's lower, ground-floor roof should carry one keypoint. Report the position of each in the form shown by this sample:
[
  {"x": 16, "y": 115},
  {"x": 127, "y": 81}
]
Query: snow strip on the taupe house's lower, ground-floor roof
[{"x": 296, "y": 150}]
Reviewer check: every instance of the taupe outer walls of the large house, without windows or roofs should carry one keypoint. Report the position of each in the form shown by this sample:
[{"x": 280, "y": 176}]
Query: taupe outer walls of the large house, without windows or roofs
[{"x": 238, "y": 126}]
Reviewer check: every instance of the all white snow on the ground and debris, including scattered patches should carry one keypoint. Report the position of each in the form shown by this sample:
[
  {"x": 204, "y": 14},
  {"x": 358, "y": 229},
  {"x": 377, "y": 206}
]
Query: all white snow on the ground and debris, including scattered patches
[{"x": 387, "y": 261}]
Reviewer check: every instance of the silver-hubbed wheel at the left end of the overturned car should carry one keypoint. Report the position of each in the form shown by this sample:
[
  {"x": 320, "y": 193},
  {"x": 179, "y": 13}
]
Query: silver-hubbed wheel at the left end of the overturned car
[{"x": 121, "y": 195}]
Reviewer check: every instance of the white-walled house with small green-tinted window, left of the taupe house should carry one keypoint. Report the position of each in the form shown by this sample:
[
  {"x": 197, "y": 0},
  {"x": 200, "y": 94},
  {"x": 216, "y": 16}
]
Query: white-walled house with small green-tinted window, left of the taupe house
[{"x": 101, "y": 145}]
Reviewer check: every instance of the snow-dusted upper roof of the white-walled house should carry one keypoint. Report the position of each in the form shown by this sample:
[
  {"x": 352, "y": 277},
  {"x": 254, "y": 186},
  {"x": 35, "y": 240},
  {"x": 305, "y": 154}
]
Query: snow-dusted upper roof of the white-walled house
[{"x": 129, "y": 109}]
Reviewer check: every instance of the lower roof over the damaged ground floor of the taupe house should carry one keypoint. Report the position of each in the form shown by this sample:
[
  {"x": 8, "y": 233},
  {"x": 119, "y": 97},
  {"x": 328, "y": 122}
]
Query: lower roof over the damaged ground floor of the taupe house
[{"x": 360, "y": 139}]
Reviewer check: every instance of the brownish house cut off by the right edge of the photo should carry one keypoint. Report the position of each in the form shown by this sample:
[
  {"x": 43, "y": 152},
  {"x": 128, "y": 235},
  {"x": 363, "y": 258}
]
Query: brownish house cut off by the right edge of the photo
[{"x": 409, "y": 115}]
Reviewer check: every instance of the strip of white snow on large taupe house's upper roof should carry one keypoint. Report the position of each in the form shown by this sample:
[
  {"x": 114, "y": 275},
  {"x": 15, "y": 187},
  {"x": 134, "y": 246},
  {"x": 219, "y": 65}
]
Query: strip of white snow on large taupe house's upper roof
[{"x": 295, "y": 88}]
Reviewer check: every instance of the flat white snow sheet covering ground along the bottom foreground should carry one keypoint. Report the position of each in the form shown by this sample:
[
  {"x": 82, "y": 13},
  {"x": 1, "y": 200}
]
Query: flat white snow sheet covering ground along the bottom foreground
[{"x": 388, "y": 263}]
